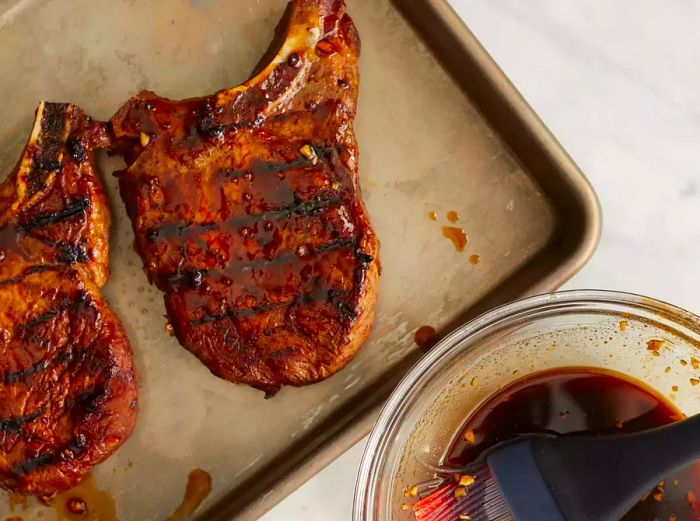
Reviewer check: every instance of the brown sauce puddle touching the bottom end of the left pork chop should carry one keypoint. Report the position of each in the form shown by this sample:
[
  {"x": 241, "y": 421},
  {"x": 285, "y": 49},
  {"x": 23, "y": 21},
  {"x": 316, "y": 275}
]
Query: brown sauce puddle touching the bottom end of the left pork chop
[{"x": 84, "y": 503}]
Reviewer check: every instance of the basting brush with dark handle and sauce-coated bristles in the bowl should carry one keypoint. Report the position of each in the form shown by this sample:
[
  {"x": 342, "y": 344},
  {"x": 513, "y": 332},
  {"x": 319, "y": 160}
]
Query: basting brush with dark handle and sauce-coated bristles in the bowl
[{"x": 564, "y": 479}]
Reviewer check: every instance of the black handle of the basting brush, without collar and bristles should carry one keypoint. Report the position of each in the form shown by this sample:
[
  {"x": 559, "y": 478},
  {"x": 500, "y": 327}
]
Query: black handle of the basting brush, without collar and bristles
[{"x": 602, "y": 478}]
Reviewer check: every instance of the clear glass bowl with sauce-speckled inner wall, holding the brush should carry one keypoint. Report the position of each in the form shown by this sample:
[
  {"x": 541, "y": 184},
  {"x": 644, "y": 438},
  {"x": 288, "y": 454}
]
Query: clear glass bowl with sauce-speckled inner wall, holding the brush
[{"x": 597, "y": 329}]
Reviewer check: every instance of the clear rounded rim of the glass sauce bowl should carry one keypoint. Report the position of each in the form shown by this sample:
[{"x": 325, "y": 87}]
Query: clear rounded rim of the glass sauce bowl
[{"x": 432, "y": 363}]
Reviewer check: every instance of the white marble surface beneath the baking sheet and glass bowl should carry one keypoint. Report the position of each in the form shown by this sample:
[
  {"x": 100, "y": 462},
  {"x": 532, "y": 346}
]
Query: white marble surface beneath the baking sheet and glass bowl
[{"x": 618, "y": 82}]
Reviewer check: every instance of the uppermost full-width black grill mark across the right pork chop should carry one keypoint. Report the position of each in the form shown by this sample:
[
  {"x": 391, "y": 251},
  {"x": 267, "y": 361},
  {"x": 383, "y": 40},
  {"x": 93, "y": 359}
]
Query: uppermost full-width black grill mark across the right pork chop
[{"x": 302, "y": 208}]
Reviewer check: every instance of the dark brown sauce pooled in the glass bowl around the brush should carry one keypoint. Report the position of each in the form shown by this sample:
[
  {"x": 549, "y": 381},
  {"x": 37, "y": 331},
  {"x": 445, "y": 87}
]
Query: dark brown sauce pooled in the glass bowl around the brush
[{"x": 580, "y": 401}]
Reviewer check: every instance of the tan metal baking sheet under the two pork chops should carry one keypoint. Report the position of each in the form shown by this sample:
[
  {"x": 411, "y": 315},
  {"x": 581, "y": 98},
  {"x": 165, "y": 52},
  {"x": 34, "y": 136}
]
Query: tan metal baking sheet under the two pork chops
[{"x": 440, "y": 128}]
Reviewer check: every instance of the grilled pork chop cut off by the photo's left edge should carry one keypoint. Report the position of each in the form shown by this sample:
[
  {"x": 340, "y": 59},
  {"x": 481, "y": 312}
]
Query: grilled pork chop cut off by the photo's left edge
[{"x": 67, "y": 382}]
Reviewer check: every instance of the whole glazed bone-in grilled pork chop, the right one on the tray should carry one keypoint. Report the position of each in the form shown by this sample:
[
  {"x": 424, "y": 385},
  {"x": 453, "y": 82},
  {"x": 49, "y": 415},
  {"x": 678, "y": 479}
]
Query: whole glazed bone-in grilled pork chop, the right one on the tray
[{"x": 247, "y": 212}]
